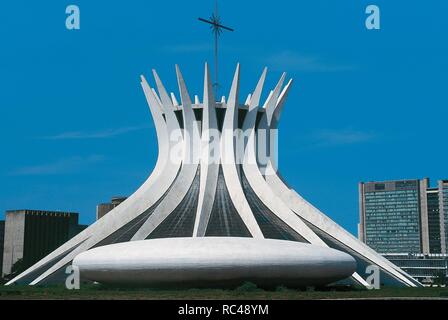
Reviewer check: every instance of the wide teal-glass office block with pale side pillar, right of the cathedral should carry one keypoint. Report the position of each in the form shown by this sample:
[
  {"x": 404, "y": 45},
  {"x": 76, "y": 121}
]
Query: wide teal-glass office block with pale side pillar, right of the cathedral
[{"x": 390, "y": 215}]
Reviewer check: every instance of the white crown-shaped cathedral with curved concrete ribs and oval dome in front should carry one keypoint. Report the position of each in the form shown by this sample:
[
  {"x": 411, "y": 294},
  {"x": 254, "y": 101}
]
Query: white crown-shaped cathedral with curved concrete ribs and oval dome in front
[{"x": 218, "y": 192}]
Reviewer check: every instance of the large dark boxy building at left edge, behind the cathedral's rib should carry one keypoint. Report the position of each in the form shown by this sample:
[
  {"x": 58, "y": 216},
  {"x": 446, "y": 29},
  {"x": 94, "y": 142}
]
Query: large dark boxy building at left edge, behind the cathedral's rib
[{"x": 32, "y": 234}]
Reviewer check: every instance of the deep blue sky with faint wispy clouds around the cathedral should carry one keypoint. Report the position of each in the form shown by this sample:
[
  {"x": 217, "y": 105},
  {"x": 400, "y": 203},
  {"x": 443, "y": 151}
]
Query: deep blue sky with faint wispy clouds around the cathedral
[{"x": 366, "y": 105}]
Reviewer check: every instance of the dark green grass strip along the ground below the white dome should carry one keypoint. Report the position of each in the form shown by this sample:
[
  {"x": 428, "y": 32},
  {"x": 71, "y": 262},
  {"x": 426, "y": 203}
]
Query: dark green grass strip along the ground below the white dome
[{"x": 242, "y": 293}]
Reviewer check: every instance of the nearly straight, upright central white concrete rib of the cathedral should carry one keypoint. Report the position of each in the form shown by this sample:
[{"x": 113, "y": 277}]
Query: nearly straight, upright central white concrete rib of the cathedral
[{"x": 209, "y": 159}]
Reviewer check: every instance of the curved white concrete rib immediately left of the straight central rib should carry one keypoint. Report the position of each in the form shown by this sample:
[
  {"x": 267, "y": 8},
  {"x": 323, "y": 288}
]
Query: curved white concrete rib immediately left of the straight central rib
[{"x": 187, "y": 172}]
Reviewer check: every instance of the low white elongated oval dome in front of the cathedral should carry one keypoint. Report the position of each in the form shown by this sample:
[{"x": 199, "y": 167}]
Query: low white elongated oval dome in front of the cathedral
[{"x": 214, "y": 261}]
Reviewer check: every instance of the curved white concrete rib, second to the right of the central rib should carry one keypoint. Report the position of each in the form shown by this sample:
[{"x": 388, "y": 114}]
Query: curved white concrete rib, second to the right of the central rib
[{"x": 255, "y": 178}]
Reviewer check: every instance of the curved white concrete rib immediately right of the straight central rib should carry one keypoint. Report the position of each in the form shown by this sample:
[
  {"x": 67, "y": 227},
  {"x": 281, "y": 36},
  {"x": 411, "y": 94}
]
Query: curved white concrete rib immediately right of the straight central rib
[{"x": 229, "y": 169}]
